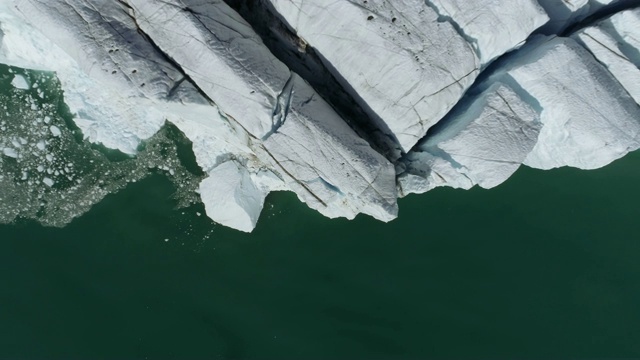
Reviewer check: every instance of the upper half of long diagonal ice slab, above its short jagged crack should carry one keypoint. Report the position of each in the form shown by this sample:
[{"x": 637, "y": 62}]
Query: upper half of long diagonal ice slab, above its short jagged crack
[{"x": 232, "y": 66}]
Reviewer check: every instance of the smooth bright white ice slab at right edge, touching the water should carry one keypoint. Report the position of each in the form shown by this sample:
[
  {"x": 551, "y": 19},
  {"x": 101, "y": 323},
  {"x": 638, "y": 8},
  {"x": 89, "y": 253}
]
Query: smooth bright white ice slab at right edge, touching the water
[{"x": 589, "y": 118}]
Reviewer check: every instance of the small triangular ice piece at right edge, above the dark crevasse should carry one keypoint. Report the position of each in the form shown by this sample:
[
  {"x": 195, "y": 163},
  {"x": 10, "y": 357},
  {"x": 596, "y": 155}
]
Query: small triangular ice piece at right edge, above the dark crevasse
[{"x": 615, "y": 42}]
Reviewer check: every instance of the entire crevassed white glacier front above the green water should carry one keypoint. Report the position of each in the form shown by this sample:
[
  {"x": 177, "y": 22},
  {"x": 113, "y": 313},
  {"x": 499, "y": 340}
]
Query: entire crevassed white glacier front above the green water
[{"x": 348, "y": 104}]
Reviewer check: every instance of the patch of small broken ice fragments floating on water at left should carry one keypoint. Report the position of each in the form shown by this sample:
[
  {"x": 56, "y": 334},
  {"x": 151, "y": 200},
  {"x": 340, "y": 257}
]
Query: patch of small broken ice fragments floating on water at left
[{"x": 53, "y": 179}]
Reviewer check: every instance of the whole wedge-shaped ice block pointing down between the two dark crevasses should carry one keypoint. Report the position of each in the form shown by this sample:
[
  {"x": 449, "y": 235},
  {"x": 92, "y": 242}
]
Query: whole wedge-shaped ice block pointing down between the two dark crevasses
[{"x": 405, "y": 61}]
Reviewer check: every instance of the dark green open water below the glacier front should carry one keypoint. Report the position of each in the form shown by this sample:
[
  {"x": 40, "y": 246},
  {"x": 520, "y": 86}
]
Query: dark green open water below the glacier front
[{"x": 546, "y": 265}]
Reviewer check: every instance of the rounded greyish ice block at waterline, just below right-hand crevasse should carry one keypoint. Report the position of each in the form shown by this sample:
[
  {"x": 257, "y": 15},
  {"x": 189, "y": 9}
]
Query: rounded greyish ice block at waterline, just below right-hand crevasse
[{"x": 482, "y": 144}]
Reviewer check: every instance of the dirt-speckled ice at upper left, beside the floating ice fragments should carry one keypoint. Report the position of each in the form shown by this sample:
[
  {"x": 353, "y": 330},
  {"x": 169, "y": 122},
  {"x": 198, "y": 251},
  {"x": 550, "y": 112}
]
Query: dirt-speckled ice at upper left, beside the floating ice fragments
[{"x": 118, "y": 86}]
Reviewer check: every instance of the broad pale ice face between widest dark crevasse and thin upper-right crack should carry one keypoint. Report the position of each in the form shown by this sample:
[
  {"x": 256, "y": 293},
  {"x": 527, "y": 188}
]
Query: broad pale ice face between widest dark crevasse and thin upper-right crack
[{"x": 404, "y": 64}]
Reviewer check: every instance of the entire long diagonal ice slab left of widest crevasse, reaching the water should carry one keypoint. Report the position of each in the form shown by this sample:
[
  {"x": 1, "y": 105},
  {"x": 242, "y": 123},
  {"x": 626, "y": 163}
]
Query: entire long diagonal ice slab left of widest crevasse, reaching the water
[{"x": 283, "y": 114}]
